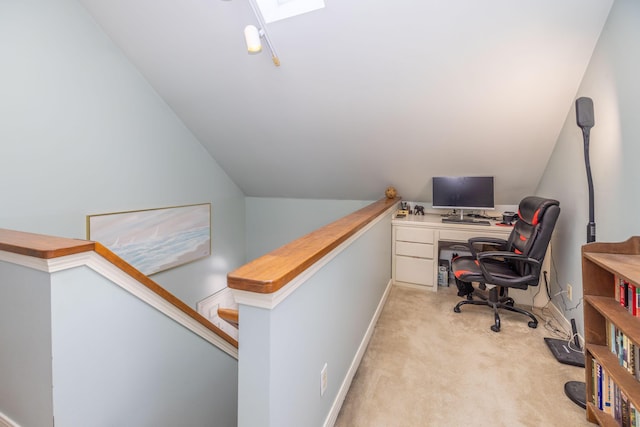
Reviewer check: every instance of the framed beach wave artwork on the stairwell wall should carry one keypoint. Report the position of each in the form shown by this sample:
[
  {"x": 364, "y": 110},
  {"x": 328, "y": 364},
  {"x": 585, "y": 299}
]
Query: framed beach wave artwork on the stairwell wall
[{"x": 155, "y": 240}]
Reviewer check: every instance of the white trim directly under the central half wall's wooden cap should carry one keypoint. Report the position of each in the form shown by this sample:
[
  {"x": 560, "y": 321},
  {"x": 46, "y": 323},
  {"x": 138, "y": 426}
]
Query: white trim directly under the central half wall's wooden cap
[{"x": 271, "y": 301}]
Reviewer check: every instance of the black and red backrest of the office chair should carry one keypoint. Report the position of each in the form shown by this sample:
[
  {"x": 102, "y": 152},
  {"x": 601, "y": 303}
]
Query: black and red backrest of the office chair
[{"x": 531, "y": 234}]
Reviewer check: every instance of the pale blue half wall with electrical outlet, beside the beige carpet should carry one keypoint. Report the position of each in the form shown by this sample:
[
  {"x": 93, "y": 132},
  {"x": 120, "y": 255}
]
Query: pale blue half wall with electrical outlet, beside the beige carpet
[{"x": 324, "y": 321}]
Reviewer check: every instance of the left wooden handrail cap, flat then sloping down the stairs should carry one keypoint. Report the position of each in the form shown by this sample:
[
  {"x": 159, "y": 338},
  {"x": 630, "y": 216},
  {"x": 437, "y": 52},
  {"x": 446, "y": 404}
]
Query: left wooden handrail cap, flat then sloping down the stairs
[{"x": 49, "y": 247}]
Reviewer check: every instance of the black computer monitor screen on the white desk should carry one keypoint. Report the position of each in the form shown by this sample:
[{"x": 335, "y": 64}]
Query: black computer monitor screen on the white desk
[{"x": 463, "y": 192}]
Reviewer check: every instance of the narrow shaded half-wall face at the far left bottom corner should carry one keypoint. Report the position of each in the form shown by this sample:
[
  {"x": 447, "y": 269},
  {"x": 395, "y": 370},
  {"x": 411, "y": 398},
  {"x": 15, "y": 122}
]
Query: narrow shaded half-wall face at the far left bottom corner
[{"x": 25, "y": 346}]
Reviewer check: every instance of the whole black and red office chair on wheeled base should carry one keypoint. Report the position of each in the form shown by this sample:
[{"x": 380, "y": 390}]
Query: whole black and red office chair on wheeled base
[{"x": 513, "y": 263}]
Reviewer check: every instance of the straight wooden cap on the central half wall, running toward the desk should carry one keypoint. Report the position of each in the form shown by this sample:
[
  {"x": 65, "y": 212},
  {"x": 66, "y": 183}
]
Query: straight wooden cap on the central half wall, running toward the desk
[{"x": 272, "y": 271}]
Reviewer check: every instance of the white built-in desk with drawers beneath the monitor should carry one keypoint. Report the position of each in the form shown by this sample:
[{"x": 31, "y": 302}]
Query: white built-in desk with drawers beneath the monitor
[{"x": 416, "y": 245}]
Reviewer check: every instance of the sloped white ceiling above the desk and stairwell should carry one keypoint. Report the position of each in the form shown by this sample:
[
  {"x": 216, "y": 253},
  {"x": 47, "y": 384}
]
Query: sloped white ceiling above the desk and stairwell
[{"x": 388, "y": 94}]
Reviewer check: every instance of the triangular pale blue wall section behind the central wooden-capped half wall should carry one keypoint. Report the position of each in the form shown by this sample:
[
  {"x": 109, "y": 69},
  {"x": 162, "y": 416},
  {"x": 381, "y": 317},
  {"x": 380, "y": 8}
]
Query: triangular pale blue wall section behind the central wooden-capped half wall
[{"x": 273, "y": 222}]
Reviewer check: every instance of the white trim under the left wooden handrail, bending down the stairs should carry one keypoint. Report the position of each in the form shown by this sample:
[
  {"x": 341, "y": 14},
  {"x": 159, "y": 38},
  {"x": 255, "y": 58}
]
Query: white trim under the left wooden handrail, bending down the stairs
[{"x": 126, "y": 282}]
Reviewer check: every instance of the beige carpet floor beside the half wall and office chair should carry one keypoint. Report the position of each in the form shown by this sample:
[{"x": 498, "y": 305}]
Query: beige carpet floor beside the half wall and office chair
[{"x": 428, "y": 366}]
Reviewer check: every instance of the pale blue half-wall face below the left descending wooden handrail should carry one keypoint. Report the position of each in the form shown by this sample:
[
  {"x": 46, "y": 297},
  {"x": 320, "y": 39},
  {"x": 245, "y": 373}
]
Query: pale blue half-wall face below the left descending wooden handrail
[{"x": 119, "y": 362}]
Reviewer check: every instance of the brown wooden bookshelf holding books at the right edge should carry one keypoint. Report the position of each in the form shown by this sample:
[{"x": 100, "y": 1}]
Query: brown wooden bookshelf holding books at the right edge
[{"x": 603, "y": 265}]
